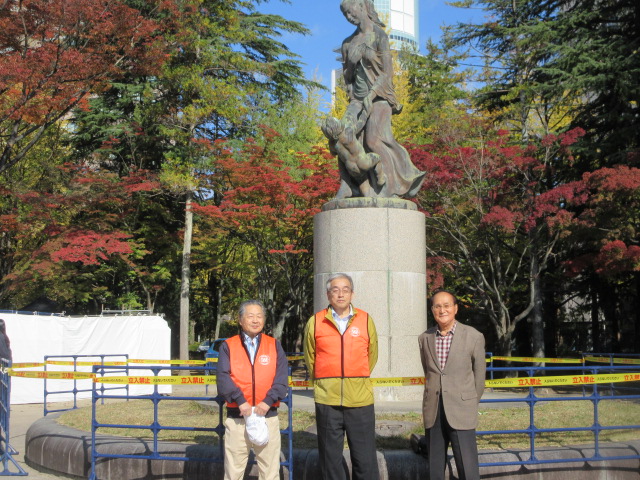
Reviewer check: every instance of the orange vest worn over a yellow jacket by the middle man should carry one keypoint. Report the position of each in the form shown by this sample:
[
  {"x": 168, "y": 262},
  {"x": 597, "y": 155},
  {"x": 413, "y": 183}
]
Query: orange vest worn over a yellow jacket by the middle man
[{"x": 342, "y": 356}]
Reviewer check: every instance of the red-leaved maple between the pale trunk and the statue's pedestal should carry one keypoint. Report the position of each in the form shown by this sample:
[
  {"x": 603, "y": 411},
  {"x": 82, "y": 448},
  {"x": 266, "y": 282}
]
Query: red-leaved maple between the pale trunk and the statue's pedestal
[{"x": 266, "y": 211}]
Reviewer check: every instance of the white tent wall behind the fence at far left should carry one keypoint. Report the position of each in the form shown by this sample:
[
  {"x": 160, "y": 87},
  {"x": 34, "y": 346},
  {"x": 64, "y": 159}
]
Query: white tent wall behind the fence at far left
[{"x": 146, "y": 337}]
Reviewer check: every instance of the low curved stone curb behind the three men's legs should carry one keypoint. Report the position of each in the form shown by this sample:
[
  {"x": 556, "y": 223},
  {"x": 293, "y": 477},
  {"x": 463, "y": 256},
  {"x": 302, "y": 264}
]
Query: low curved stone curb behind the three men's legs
[{"x": 53, "y": 447}]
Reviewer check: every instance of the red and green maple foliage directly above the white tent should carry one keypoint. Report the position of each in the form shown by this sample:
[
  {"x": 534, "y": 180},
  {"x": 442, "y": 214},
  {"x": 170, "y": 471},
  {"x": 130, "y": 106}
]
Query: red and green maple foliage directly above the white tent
[{"x": 85, "y": 245}]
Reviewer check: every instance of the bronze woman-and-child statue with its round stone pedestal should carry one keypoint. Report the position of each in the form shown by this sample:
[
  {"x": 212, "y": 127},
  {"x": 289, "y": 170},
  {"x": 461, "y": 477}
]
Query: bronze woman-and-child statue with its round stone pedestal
[{"x": 370, "y": 230}]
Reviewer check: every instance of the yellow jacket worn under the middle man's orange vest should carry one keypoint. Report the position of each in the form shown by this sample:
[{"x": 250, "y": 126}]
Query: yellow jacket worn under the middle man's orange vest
[{"x": 345, "y": 392}]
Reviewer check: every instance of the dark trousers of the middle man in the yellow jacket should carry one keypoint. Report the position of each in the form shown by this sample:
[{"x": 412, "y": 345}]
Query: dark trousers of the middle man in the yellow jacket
[{"x": 359, "y": 425}]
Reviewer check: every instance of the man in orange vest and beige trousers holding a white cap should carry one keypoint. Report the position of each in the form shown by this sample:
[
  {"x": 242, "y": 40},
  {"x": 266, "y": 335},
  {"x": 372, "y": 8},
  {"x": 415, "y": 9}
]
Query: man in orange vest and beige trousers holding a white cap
[{"x": 252, "y": 375}]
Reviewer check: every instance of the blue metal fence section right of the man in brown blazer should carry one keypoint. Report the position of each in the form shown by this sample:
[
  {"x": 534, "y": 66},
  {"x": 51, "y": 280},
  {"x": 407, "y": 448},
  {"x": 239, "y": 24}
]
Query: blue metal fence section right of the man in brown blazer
[{"x": 591, "y": 393}]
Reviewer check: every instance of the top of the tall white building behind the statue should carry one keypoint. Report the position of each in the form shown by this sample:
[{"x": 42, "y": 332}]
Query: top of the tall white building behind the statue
[{"x": 402, "y": 17}]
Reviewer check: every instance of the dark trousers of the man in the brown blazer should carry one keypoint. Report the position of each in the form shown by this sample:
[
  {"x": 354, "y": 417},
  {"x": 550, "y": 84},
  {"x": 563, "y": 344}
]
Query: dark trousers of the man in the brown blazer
[{"x": 464, "y": 446}]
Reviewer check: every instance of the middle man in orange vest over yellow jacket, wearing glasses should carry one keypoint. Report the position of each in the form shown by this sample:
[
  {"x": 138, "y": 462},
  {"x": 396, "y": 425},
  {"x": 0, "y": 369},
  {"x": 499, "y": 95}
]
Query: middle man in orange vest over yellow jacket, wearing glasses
[{"x": 340, "y": 350}]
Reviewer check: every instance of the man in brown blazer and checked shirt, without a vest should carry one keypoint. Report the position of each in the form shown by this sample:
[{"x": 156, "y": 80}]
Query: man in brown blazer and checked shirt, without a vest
[{"x": 453, "y": 359}]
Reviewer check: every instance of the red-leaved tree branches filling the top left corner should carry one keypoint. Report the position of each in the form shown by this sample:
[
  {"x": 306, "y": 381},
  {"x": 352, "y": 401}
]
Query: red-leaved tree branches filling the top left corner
[{"x": 56, "y": 53}]
